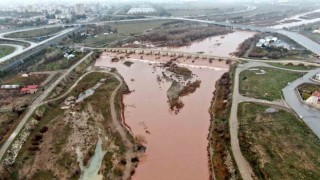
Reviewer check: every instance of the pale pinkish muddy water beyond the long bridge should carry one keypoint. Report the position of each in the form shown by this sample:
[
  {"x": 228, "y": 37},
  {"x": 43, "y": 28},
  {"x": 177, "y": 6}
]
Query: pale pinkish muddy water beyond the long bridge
[{"x": 218, "y": 45}]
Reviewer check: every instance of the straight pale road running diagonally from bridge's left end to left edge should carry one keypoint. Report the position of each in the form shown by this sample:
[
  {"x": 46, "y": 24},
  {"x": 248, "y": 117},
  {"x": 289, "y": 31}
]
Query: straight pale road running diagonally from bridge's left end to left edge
[{"x": 38, "y": 102}]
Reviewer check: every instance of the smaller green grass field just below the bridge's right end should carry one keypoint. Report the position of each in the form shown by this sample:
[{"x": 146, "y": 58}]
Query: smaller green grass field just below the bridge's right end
[{"x": 266, "y": 86}]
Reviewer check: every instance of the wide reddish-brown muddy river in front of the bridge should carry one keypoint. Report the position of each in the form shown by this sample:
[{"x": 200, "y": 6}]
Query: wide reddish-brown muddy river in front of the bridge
[{"x": 176, "y": 143}]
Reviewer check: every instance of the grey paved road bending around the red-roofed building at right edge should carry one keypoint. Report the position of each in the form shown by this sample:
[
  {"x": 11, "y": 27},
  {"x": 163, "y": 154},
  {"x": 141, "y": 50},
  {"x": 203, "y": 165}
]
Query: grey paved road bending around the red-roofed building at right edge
[{"x": 309, "y": 115}]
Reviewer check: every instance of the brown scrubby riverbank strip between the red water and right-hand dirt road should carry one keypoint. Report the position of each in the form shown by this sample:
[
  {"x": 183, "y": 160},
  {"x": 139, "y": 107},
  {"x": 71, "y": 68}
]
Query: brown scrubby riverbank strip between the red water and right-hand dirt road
[{"x": 221, "y": 162}]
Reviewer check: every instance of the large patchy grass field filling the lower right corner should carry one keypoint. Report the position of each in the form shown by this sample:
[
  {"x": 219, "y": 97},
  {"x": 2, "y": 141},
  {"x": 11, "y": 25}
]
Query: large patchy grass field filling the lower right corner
[{"x": 278, "y": 145}]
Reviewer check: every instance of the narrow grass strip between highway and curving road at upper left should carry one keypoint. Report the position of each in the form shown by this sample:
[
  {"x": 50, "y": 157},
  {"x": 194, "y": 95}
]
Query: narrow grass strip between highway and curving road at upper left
[{"x": 35, "y": 33}]
